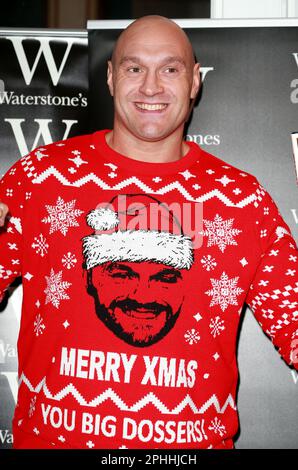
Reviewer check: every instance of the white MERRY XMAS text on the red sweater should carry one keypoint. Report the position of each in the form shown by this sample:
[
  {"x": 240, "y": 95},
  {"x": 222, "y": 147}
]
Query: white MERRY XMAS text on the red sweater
[{"x": 118, "y": 367}]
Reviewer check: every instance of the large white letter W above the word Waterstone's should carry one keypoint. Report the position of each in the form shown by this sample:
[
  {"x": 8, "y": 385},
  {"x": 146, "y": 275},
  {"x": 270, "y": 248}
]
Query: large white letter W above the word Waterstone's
[{"x": 46, "y": 51}]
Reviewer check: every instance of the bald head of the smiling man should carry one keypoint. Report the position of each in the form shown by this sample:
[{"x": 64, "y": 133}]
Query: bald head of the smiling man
[{"x": 153, "y": 77}]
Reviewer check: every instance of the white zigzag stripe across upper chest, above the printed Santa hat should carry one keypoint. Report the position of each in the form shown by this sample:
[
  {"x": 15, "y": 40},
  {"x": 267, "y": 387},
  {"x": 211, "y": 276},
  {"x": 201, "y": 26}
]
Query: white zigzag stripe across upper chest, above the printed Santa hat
[{"x": 91, "y": 177}]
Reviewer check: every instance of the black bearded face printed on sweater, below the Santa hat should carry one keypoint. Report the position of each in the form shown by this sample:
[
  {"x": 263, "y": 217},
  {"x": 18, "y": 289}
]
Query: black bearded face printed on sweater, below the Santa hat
[{"x": 139, "y": 302}]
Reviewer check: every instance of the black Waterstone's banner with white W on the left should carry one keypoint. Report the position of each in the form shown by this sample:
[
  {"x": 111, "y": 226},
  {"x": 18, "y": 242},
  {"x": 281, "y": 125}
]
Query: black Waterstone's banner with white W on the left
[{"x": 43, "y": 99}]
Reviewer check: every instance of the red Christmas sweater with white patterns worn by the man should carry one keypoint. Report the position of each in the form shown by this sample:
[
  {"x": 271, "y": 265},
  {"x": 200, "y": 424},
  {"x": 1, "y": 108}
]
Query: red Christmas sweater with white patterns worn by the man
[{"x": 134, "y": 278}]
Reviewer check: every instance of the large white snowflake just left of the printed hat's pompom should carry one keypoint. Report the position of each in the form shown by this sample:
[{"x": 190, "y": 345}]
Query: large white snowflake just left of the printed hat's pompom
[{"x": 62, "y": 216}]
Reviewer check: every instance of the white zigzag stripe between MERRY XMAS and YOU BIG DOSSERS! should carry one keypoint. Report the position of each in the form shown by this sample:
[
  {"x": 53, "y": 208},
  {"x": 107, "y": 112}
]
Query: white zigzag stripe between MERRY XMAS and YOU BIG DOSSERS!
[{"x": 148, "y": 399}]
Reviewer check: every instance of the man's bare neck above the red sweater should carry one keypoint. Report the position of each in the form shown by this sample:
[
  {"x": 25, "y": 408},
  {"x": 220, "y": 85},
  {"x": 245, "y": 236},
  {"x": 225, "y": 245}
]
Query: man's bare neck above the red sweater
[{"x": 166, "y": 150}]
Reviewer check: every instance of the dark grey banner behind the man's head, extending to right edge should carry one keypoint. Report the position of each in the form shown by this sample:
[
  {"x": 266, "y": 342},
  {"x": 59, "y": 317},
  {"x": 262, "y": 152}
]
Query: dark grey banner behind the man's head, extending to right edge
[{"x": 246, "y": 114}]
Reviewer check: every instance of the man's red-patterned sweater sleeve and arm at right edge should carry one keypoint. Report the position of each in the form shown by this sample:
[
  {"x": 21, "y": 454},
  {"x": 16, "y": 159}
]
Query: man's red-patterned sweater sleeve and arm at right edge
[{"x": 273, "y": 294}]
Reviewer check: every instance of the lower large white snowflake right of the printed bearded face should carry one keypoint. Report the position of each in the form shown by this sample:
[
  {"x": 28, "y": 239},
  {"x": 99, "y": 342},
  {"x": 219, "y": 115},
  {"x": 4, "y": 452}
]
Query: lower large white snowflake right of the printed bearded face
[{"x": 224, "y": 291}]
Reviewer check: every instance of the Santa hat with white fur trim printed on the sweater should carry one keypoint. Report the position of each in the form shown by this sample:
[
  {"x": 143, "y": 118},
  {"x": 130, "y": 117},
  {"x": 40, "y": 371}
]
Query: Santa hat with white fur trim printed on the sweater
[{"x": 116, "y": 237}]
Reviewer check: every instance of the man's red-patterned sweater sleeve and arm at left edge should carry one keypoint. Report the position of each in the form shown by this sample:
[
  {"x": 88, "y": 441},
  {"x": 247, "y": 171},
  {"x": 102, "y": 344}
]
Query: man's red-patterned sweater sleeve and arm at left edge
[{"x": 11, "y": 216}]
